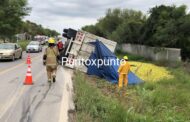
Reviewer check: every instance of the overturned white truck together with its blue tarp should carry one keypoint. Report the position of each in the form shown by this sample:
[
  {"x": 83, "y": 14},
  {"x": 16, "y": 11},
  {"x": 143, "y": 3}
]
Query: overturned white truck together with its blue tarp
[{"x": 83, "y": 47}]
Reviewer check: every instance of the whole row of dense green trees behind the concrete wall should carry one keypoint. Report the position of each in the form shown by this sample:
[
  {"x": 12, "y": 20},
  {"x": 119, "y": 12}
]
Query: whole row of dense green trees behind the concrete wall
[{"x": 165, "y": 26}]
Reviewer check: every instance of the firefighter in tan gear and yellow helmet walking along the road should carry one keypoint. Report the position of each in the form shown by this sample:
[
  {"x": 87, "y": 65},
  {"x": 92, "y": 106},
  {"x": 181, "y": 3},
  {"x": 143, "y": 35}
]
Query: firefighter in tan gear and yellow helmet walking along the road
[{"x": 50, "y": 57}]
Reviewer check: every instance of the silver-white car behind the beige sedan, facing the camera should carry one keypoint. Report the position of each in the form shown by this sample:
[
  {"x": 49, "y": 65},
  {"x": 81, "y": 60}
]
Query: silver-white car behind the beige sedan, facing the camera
[{"x": 34, "y": 46}]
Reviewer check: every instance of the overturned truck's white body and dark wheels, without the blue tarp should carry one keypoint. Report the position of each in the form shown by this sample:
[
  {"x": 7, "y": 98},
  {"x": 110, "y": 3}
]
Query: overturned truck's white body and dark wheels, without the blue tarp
[{"x": 79, "y": 46}]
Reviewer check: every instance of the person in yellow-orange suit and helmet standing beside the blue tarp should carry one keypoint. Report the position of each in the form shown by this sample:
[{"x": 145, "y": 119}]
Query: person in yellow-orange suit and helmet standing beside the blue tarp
[{"x": 123, "y": 72}]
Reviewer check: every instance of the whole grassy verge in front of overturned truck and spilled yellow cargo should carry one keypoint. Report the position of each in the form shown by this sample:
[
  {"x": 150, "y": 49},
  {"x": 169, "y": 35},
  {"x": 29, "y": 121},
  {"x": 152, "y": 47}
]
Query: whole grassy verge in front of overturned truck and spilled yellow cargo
[{"x": 166, "y": 100}]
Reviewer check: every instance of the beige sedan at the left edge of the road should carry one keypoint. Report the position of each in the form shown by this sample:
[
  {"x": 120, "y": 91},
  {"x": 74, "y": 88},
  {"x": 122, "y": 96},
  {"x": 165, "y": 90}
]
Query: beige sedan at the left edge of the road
[{"x": 10, "y": 51}]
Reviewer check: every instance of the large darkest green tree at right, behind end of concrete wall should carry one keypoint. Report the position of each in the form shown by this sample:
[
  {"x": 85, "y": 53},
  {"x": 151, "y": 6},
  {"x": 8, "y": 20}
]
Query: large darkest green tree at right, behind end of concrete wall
[{"x": 168, "y": 26}]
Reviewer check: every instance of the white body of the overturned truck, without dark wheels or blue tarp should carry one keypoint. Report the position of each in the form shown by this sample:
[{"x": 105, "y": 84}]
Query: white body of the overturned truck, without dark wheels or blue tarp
[{"x": 82, "y": 49}]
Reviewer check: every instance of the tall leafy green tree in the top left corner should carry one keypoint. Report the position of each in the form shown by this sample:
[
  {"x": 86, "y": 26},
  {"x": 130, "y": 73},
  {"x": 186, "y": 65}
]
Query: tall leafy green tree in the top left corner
[{"x": 11, "y": 13}]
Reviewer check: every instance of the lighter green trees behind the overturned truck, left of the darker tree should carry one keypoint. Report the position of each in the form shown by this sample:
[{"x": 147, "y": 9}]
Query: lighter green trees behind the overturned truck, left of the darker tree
[{"x": 123, "y": 26}]
